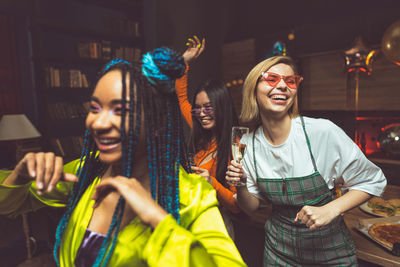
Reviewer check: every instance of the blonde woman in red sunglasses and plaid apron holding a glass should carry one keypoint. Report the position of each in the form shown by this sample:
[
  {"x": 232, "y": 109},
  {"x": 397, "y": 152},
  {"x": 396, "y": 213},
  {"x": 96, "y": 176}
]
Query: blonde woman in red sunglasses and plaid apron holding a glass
[{"x": 293, "y": 162}]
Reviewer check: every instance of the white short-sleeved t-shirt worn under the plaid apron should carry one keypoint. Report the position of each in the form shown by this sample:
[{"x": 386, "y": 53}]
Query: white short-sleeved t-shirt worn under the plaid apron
[{"x": 335, "y": 154}]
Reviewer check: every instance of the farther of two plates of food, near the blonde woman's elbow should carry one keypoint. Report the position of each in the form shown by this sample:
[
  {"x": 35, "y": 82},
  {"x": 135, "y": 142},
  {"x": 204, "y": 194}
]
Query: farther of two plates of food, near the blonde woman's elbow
[{"x": 380, "y": 207}]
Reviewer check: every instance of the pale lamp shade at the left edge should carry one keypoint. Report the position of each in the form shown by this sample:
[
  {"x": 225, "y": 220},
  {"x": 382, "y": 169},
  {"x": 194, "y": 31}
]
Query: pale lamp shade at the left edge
[{"x": 17, "y": 127}]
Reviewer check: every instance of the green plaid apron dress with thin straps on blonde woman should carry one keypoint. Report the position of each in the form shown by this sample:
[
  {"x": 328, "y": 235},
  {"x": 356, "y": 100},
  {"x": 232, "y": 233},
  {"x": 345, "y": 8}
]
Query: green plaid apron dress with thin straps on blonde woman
[{"x": 293, "y": 244}]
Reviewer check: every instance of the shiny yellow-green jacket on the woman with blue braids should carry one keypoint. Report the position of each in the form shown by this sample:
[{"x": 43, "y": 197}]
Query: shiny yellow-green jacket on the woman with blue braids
[{"x": 199, "y": 240}]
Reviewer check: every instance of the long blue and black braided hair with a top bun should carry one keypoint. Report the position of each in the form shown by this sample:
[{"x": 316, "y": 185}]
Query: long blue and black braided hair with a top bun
[{"x": 151, "y": 90}]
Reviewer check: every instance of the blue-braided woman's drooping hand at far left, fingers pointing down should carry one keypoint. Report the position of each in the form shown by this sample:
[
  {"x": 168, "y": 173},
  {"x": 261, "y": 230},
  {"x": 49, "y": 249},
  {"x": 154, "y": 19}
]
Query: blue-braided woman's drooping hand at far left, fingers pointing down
[{"x": 45, "y": 168}]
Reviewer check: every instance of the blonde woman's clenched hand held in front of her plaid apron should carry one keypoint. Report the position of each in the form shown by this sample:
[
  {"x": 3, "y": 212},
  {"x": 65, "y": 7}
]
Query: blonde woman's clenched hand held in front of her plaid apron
[{"x": 315, "y": 217}]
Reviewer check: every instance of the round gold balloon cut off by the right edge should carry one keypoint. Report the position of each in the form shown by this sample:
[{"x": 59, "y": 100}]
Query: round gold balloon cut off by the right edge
[{"x": 391, "y": 43}]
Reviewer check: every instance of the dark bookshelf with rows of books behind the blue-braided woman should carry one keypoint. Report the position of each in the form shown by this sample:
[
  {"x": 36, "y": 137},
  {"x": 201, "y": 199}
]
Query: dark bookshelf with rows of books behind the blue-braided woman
[{"x": 71, "y": 42}]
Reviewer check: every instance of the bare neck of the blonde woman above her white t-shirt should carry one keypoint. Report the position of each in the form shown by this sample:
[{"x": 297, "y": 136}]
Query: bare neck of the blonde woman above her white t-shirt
[{"x": 276, "y": 130}]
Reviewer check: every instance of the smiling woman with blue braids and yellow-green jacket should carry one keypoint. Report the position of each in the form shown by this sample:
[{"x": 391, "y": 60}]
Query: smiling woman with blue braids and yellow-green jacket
[{"x": 132, "y": 202}]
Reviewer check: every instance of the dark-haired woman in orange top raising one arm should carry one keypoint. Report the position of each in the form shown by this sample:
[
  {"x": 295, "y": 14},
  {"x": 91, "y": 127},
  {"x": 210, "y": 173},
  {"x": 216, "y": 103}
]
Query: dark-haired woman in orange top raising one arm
[{"x": 211, "y": 116}]
